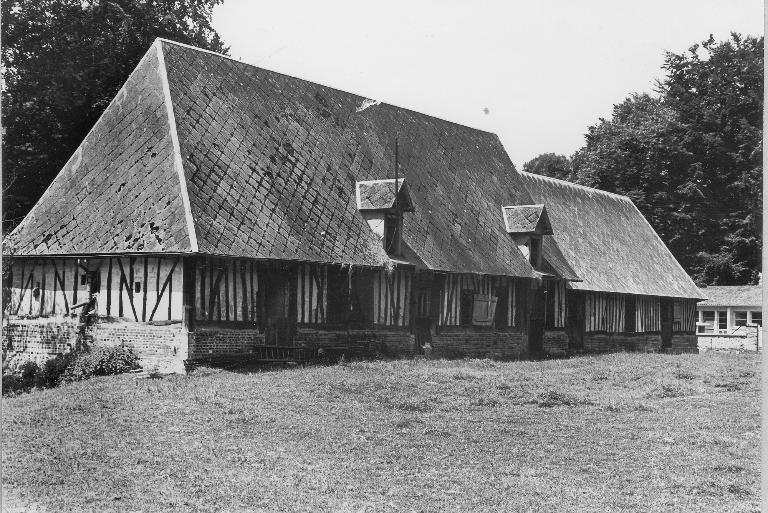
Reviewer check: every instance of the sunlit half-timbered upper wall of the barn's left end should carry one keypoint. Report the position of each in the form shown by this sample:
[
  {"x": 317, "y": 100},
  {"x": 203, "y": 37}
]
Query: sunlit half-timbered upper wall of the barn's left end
[{"x": 134, "y": 288}]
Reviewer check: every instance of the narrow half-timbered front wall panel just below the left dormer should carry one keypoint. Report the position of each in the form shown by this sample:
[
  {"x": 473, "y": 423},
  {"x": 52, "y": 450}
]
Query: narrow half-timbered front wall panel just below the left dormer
[{"x": 392, "y": 298}]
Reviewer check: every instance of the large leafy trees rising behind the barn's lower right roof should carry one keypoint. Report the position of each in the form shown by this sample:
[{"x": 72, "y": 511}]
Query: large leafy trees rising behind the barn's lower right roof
[{"x": 690, "y": 157}]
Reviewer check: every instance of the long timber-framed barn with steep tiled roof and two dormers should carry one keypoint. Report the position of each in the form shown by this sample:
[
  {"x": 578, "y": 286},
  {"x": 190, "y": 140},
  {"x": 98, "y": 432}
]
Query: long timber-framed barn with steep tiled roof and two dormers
[{"x": 220, "y": 210}]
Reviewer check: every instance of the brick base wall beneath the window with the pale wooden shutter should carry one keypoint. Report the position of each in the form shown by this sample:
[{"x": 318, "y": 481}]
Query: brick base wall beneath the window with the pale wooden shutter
[{"x": 466, "y": 342}]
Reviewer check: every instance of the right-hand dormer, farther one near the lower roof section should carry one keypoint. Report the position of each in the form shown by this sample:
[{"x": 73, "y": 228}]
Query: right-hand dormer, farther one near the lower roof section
[{"x": 527, "y": 224}]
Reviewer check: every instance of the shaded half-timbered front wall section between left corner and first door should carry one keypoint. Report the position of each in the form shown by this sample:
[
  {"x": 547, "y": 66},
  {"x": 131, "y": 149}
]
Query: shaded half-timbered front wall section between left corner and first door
[{"x": 226, "y": 290}]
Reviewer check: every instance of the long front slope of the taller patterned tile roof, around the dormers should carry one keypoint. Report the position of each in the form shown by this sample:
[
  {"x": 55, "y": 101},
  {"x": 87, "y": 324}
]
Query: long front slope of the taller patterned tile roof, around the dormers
[{"x": 272, "y": 161}]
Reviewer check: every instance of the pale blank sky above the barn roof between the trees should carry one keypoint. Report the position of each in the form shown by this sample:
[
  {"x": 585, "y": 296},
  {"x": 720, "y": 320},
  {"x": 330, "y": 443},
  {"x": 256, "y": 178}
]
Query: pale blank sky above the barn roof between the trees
[{"x": 537, "y": 73}]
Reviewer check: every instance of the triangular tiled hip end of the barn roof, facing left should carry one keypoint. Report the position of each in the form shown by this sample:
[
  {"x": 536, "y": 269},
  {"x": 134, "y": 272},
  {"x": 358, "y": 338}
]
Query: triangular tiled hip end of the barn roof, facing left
[{"x": 121, "y": 190}]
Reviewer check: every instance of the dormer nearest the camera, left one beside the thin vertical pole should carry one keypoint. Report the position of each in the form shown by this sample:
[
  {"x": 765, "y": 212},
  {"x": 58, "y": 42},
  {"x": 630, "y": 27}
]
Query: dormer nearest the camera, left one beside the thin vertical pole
[{"x": 382, "y": 203}]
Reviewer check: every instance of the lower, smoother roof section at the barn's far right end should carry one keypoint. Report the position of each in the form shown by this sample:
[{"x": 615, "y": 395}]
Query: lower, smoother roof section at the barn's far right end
[{"x": 607, "y": 241}]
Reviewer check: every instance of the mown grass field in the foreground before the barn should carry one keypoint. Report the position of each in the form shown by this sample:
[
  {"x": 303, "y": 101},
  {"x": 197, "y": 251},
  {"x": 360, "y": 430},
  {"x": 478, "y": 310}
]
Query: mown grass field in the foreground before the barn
[{"x": 637, "y": 432}]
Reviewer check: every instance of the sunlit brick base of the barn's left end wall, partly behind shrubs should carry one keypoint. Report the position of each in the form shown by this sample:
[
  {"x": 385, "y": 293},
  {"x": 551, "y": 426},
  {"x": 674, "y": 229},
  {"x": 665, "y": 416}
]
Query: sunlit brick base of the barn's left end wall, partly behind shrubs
[{"x": 160, "y": 347}]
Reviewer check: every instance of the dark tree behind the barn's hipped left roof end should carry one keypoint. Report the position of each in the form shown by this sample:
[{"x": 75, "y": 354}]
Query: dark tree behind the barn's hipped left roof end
[{"x": 63, "y": 62}]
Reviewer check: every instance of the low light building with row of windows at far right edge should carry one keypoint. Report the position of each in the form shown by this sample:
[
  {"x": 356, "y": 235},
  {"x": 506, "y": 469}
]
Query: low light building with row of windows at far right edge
[{"x": 730, "y": 318}]
